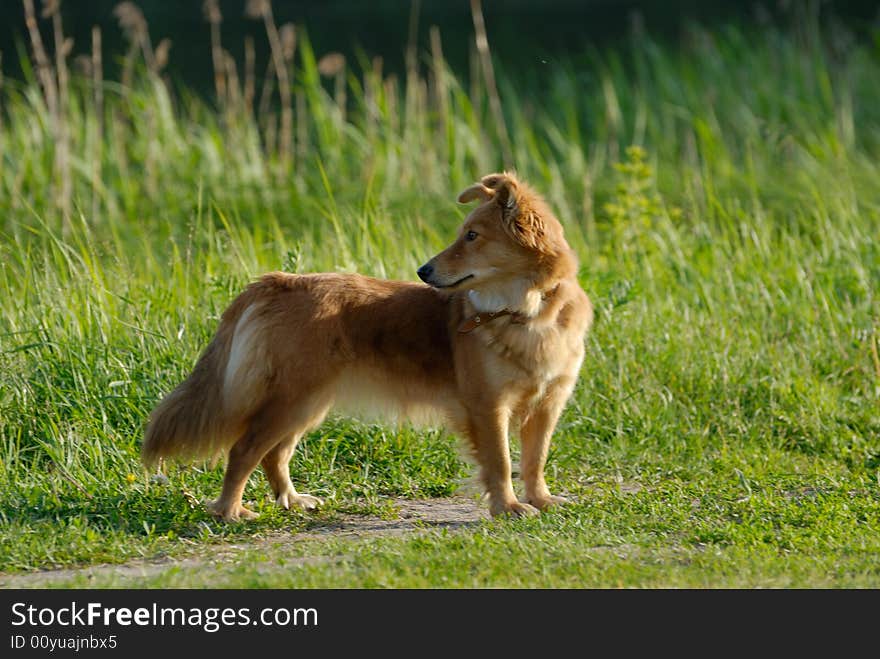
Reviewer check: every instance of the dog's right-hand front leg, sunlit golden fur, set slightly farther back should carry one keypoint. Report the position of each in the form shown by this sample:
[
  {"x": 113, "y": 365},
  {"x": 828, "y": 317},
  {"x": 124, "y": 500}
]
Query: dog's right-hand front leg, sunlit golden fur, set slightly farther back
[{"x": 535, "y": 435}]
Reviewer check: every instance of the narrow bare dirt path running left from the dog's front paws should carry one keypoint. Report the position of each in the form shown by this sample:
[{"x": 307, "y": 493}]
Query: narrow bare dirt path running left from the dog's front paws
[{"x": 414, "y": 516}]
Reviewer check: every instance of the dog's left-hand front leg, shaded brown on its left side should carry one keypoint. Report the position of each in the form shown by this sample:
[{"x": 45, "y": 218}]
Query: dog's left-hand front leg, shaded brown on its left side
[{"x": 488, "y": 434}]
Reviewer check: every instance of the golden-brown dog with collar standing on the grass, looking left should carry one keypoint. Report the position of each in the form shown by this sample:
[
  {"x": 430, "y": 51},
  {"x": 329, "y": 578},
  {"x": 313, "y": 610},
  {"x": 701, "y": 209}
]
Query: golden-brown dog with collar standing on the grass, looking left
[{"x": 492, "y": 341}]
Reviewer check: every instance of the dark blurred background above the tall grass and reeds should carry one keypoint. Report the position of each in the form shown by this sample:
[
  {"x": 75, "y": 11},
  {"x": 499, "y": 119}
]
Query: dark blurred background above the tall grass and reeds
[{"x": 519, "y": 30}]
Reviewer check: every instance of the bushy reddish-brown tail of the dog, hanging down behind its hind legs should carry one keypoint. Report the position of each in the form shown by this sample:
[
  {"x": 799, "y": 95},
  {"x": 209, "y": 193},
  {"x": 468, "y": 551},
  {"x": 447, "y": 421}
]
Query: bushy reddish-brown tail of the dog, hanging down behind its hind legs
[{"x": 197, "y": 419}]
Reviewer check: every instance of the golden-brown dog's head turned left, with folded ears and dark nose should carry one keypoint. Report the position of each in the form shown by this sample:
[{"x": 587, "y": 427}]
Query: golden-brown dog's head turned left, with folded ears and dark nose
[{"x": 510, "y": 235}]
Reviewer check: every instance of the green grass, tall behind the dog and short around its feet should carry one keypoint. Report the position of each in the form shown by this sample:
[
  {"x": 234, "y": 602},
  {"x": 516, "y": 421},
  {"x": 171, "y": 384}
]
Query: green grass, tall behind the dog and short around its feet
[{"x": 726, "y": 428}]
